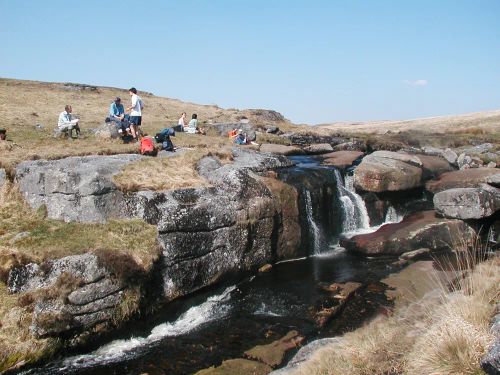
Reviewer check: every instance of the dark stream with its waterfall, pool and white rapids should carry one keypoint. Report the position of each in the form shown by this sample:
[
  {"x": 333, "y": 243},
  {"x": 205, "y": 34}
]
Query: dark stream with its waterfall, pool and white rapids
[{"x": 222, "y": 322}]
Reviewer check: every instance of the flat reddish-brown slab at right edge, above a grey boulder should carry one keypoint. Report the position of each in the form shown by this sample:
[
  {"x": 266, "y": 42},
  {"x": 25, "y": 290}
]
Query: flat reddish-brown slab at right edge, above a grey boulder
[{"x": 467, "y": 178}]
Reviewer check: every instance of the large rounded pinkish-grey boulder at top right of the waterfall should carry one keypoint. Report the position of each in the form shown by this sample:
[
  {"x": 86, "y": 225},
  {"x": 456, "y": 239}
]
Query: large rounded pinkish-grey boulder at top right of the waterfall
[{"x": 388, "y": 171}]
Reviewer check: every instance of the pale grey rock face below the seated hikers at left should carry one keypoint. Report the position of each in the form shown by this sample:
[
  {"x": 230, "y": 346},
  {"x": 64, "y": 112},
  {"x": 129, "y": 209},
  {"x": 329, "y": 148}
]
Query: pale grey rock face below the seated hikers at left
[{"x": 75, "y": 188}]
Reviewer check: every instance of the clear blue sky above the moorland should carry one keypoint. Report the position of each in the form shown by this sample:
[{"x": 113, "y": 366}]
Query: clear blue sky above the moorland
[{"x": 313, "y": 61}]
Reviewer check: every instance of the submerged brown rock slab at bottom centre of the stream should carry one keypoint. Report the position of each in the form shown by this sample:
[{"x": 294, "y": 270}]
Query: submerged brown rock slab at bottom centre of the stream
[{"x": 274, "y": 353}]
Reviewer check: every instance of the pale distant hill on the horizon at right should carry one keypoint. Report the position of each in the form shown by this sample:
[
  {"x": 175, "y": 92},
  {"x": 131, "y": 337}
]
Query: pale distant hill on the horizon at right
[{"x": 487, "y": 121}]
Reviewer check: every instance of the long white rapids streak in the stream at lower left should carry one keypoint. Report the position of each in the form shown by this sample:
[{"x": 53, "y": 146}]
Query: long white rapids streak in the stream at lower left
[{"x": 212, "y": 309}]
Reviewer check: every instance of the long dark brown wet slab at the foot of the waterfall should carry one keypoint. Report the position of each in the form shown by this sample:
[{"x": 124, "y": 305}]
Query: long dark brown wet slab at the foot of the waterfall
[{"x": 422, "y": 229}]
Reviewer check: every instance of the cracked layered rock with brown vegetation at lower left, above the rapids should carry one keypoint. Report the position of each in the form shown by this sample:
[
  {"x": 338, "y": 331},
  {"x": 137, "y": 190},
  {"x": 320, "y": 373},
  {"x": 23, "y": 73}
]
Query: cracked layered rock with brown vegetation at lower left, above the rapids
[{"x": 71, "y": 294}]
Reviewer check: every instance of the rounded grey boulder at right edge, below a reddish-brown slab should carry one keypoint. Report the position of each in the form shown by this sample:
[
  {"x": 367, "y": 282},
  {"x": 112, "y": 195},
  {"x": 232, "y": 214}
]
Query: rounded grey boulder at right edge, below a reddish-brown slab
[{"x": 468, "y": 203}]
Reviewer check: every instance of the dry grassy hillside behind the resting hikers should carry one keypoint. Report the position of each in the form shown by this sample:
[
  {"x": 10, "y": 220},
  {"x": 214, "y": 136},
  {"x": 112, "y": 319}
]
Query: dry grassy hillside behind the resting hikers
[{"x": 29, "y": 111}]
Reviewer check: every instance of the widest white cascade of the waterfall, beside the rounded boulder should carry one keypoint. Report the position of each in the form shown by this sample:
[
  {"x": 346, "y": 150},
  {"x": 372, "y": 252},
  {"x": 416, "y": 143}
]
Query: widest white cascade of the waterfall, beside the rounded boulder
[{"x": 355, "y": 215}]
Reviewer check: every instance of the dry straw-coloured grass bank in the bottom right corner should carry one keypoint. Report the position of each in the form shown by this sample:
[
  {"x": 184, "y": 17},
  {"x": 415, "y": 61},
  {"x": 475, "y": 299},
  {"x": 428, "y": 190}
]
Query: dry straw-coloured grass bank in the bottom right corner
[{"x": 444, "y": 332}]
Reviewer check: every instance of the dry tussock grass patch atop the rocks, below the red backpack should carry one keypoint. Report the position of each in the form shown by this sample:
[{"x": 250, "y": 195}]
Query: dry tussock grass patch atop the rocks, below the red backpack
[{"x": 178, "y": 171}]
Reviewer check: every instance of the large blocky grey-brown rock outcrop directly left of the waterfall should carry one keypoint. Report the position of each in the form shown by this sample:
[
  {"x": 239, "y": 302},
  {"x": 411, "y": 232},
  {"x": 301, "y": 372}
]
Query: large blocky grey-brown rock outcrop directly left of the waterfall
[{"x": 237, "y": 224}]
